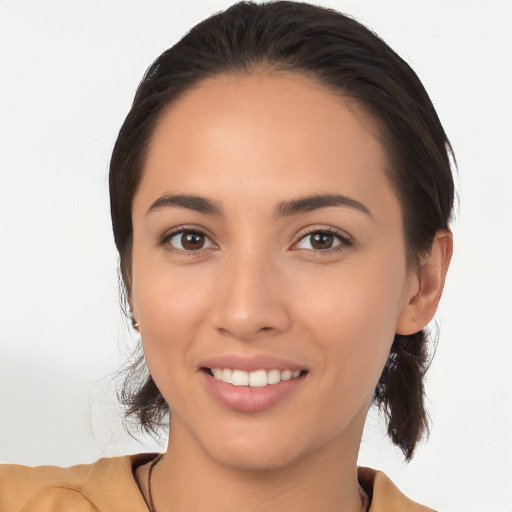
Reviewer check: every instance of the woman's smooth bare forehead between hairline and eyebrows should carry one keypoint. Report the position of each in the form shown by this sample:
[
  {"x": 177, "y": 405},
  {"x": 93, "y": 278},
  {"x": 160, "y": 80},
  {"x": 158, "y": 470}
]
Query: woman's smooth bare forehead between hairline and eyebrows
[{"x": 264, "y": 134}]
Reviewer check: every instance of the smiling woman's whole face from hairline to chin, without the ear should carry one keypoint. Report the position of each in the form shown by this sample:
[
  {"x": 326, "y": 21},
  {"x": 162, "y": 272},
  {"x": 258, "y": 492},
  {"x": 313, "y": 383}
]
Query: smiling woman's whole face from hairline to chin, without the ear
[{"x": 268, "y": 243}]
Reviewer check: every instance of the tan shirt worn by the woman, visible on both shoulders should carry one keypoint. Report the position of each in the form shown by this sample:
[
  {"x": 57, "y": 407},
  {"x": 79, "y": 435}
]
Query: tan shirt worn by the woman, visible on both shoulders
[{"x": 108, "y": 485}]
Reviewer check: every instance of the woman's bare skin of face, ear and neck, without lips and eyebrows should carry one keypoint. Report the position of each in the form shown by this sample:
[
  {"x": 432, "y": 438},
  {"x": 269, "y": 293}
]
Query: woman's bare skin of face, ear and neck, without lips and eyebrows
[{"x": 247, "y": 143}]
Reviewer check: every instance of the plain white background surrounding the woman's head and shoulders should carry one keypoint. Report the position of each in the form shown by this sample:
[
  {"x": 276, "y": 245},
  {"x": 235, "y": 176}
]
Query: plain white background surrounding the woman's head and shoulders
[{"x": 68, "y": 71}]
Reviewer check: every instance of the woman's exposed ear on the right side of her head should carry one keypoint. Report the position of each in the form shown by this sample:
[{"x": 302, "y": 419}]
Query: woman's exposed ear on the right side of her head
[{"x": 426, "y": 286}]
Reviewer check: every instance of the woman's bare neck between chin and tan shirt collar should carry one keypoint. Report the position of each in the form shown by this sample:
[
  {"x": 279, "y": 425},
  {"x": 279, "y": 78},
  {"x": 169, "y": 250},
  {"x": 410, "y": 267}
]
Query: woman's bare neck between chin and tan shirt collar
[{"x": 188, "y": 479}]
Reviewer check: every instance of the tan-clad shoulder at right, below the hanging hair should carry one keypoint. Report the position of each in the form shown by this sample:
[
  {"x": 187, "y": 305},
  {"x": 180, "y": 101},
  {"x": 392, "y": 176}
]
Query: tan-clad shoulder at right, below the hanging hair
[{"x": 385, "y": 495}]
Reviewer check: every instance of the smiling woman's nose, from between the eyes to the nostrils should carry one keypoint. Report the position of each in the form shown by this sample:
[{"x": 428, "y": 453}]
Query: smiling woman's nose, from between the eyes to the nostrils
[{"x": 252, "y": 299}]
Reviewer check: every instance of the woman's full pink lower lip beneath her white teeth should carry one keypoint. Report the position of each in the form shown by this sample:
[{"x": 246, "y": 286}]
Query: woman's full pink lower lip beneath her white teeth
[{"x": 251, "y": 399}]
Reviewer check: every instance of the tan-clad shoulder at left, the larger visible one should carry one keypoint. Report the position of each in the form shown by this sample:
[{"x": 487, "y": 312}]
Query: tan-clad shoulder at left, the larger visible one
[{"x": 107, "y": 484}]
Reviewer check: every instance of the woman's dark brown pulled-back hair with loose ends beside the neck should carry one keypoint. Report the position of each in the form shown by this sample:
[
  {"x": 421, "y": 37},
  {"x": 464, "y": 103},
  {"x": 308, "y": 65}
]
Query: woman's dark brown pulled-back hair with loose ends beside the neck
[{"x": 350, "y": 60}]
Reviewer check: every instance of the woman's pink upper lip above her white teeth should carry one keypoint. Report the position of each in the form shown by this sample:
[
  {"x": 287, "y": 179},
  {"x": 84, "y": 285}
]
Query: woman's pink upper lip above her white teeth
[{"x": 250, "y": 363}]
